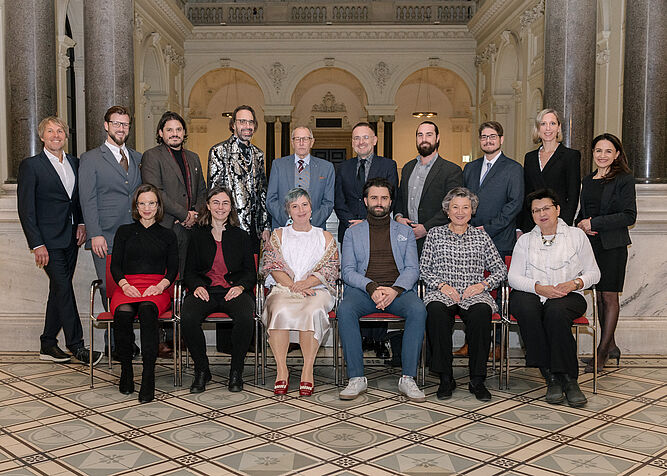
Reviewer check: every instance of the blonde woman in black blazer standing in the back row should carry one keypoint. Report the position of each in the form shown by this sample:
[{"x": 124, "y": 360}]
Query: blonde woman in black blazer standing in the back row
[{"x": 551, "y": 166}]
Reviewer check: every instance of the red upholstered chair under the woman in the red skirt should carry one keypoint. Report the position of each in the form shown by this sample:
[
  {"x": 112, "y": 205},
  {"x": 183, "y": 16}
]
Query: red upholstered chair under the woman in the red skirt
[{"x": 106, "y": 317}]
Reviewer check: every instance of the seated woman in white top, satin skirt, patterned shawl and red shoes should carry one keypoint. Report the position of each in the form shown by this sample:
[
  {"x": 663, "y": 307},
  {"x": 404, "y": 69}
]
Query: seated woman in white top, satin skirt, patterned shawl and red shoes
[{"x": 301, "y": 264}]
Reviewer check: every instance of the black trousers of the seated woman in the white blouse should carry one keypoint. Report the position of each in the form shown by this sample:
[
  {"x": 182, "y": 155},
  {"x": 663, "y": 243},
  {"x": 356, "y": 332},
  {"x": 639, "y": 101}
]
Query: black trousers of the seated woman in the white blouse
[{"x": 546, "y": 330}]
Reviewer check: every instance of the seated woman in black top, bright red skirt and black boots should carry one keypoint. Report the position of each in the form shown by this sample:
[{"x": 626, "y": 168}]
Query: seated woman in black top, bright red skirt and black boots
[{"x": 144, "y": 263}]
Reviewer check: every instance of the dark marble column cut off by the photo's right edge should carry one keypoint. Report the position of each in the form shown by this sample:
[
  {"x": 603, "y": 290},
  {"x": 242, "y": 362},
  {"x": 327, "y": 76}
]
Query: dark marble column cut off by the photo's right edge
[{"x": 644, "y": 93}]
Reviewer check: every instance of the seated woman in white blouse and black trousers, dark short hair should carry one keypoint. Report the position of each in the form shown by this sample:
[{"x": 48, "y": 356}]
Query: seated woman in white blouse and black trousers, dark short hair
[{"x": 551, "y": 266}]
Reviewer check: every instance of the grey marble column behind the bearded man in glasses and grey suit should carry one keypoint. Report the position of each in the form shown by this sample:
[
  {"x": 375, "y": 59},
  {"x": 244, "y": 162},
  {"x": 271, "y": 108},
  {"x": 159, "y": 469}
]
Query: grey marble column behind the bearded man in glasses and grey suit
[{"x": 109, "y": 62}]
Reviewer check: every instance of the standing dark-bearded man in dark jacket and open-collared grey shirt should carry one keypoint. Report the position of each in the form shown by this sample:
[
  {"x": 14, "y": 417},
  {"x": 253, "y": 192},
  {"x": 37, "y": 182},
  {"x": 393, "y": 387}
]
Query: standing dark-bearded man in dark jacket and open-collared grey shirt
[{"x": 425, "y": 181}]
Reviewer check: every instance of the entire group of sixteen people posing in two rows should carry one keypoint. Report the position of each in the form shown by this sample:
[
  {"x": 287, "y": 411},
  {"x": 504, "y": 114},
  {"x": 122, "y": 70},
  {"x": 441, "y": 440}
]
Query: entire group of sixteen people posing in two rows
[{"x": 453, "y": 229}]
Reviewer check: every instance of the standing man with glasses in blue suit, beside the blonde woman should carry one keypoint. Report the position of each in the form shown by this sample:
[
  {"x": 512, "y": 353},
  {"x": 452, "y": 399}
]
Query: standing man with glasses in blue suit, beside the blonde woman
[{"x": 498, "y": 182}]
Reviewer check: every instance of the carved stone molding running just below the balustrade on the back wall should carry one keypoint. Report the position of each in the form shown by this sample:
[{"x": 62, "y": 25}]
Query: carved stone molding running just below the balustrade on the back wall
[{"x": 330, "y": 35}]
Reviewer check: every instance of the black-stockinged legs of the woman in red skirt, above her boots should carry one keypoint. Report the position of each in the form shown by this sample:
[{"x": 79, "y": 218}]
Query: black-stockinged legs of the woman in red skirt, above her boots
[{"x": 123, "y": 320}]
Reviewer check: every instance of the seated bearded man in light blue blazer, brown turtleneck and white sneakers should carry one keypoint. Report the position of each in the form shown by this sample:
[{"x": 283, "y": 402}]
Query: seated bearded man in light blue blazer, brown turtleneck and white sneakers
[{"x": 380, "y": 269}]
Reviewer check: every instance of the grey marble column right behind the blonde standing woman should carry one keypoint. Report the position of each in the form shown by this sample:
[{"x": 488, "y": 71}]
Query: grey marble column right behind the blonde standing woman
[{"x": 569, "y": 70}]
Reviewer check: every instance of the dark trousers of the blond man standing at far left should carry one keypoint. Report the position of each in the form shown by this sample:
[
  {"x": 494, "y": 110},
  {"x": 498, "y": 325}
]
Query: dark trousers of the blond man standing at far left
[{"x": 61, "y": 310}]
